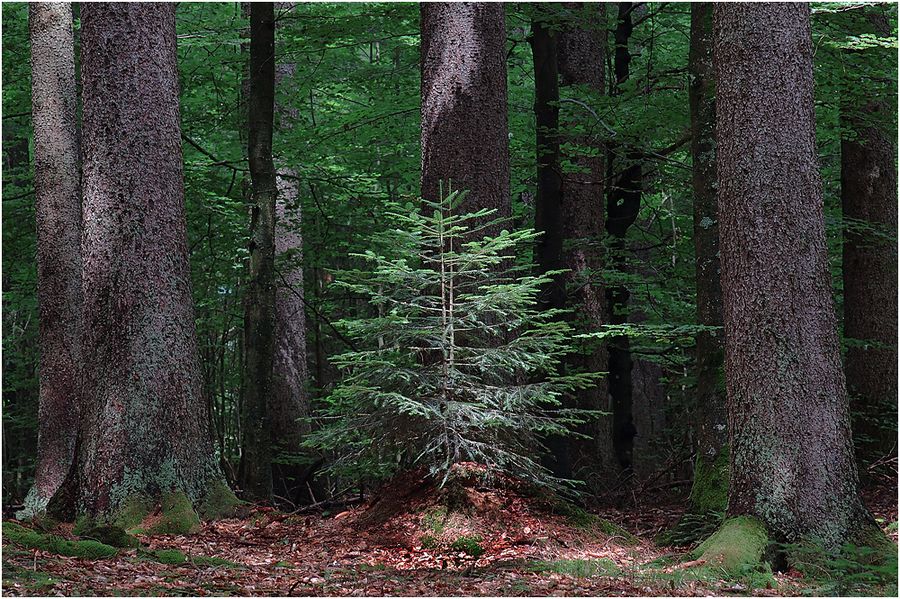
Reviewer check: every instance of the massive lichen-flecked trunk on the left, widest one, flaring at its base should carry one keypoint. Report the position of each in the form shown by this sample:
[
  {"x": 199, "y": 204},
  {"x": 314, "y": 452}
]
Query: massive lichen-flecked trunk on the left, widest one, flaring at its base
[{"x": 145, "y": 431}]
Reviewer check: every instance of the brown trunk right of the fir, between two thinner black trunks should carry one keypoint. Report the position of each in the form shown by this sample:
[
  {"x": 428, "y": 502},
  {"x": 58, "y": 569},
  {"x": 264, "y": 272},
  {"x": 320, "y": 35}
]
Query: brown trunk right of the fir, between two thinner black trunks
[{"x": 582, "y": 56}]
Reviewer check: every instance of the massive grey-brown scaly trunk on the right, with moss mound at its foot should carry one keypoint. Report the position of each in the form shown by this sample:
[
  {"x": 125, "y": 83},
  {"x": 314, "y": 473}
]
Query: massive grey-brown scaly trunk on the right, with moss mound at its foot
[{"x": 792, "y": 462}]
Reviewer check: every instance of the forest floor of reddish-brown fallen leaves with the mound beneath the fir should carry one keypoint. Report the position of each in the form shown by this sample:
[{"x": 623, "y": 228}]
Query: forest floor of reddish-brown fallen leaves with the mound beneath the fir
[{"x": 407, "y": 543}]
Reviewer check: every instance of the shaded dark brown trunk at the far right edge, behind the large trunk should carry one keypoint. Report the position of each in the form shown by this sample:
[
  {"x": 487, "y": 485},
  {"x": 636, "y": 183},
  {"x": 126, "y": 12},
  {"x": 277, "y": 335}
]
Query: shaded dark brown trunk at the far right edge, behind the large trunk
[{"x": 869, "y": 194}]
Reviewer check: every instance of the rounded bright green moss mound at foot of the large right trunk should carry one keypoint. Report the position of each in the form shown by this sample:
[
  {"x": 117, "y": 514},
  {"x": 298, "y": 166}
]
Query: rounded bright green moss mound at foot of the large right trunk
[{"x": 737, "y": 547}]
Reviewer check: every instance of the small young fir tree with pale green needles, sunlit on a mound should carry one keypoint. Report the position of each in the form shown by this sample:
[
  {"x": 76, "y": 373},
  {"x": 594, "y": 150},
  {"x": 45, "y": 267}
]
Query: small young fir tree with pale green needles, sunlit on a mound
[{"x": 456, "y": 363}]
